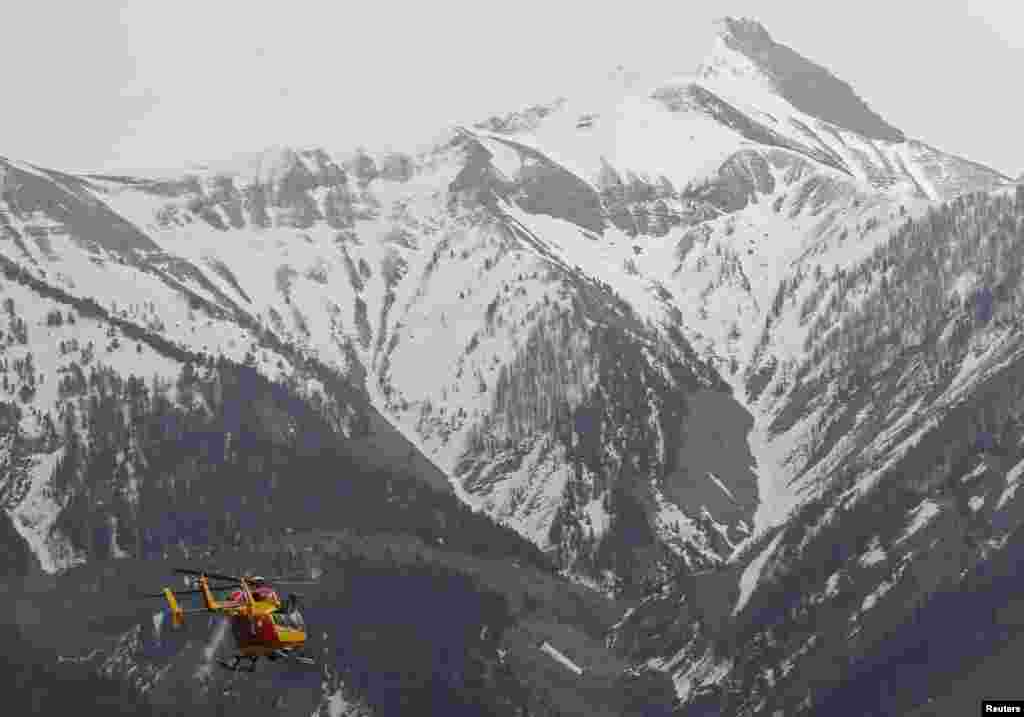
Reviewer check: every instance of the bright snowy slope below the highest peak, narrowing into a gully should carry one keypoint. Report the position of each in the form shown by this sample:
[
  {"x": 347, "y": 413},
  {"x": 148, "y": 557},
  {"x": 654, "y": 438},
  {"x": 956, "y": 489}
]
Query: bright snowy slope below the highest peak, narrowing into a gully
[{"x": 783, "y": 172}]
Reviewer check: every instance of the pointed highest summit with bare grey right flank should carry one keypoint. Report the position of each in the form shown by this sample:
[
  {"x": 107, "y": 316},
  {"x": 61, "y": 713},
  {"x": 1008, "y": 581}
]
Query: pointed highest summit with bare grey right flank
[{"x": 745, "y": 51}]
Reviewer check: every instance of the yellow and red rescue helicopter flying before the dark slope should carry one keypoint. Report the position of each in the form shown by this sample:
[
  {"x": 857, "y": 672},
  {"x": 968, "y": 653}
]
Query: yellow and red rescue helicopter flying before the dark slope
[{"x": 262, "y": 625}]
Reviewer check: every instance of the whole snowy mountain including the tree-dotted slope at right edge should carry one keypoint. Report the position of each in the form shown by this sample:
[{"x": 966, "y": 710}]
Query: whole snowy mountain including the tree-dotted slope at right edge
[{"x": 642, "y": 327}]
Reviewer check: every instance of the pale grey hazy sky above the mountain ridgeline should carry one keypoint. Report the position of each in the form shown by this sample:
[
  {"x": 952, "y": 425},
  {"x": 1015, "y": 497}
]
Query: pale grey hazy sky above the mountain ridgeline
[{"x": 94, "y": 86}]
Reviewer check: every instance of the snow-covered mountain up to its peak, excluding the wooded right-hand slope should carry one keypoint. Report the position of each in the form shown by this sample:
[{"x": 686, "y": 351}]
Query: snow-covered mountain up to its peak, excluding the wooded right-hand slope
[{"x": 486, "y": 296}]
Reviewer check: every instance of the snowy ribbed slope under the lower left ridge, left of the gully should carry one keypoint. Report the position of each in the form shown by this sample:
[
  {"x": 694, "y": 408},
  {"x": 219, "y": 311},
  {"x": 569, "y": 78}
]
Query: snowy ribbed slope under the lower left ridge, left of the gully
[{"x": 291, "y": 259}]
